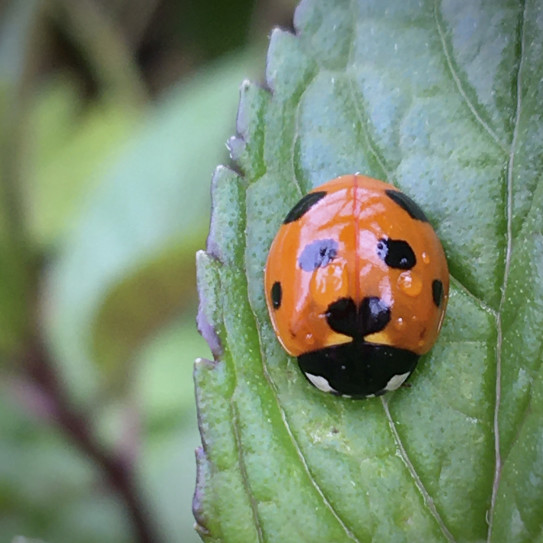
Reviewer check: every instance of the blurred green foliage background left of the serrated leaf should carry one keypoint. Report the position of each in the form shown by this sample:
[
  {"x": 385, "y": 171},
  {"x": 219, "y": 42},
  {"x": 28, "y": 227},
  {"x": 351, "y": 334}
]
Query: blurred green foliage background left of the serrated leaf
[{"x": 113, "y": 117}]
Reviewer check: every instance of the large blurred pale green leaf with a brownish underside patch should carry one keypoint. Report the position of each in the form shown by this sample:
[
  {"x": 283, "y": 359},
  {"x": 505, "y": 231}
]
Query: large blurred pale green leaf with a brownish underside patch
[{"x": 135, "y": 241}]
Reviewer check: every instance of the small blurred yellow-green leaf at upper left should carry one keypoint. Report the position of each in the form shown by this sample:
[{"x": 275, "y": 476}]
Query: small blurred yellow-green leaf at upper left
[{"x": 71, "y": 142}]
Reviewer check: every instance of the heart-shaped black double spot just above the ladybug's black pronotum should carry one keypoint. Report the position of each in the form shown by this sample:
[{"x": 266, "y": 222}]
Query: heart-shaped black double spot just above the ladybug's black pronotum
[{"x": 371, "y": 316}]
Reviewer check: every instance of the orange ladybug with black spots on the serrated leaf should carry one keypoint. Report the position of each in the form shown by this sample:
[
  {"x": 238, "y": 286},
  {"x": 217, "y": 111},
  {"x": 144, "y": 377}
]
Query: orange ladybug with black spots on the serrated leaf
[{"x": 356, "y": 285}]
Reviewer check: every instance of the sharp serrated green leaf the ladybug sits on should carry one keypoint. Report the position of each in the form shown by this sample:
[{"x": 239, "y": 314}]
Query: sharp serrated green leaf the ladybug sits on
[{"x": 444, "y": 100}]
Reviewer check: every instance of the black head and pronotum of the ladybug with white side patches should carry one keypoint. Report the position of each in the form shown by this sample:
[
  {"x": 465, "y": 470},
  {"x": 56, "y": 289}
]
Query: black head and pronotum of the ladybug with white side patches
[{"x": 358, "y": 369}]
